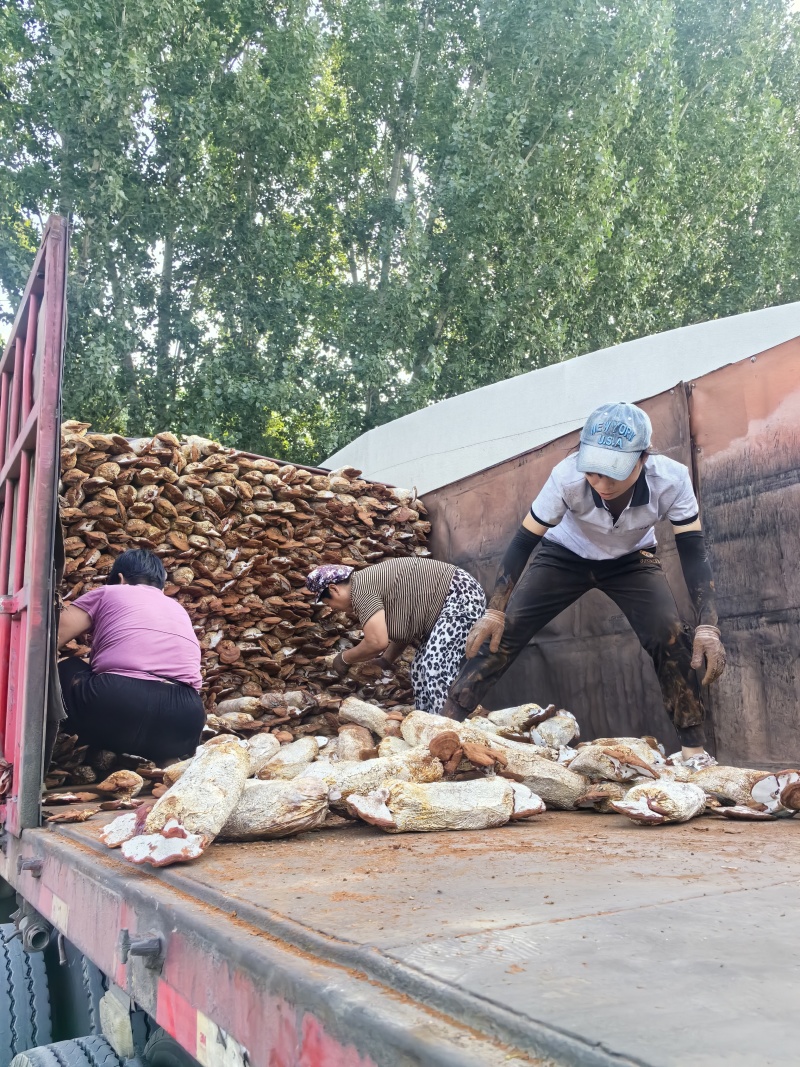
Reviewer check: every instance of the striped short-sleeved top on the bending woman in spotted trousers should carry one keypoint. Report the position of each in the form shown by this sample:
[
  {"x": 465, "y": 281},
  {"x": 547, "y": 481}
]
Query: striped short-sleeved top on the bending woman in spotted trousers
[{"x": 411, "y": 591}]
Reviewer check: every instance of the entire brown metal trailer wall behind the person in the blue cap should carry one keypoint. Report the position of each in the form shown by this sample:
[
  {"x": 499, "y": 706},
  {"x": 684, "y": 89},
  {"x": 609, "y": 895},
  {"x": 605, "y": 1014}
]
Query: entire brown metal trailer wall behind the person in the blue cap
[{"x": 738, "y": 431}]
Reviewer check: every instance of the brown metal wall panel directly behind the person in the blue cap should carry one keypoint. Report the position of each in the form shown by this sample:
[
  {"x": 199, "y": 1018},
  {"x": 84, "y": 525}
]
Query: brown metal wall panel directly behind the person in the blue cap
[{"x": 588, "y": 660}]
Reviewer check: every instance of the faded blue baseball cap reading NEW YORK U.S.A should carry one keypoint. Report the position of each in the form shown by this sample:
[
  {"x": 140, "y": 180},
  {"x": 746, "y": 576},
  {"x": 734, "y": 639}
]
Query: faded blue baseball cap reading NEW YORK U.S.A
[{"x": 613, "y": 439}]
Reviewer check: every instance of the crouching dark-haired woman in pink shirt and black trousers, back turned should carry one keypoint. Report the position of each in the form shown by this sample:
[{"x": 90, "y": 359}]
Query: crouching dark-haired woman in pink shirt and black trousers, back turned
[{"x": 140, "y": 692}]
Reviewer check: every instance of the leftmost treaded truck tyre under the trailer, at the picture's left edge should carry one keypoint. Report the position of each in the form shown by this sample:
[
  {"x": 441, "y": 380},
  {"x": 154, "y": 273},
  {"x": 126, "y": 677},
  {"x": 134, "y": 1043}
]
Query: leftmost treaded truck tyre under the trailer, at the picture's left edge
[{"x": 25, "y": 1000}]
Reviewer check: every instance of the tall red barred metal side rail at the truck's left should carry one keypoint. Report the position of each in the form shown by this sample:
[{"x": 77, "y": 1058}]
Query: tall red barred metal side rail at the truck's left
[{"x": 30, "y": 416}]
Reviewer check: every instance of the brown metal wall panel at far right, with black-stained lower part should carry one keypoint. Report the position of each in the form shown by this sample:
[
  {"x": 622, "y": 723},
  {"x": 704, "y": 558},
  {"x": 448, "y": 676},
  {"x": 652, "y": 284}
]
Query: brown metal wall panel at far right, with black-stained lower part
[{"x": 746, "y": 424}]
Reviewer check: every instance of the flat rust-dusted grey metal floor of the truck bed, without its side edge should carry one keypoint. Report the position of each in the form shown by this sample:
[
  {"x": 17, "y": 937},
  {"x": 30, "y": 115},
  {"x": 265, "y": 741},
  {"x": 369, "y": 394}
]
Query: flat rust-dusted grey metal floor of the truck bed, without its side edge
[{"x": 668, "y": 946}]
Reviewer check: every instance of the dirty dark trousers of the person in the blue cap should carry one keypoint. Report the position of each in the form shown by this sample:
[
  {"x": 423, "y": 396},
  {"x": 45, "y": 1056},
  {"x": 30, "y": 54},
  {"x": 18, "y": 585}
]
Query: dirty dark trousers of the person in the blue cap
[{"x": 555, "y": 579}]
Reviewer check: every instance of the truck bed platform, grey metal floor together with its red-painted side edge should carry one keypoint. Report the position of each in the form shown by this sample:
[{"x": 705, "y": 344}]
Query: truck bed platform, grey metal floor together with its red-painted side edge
[{"x": 577, "y": 938}]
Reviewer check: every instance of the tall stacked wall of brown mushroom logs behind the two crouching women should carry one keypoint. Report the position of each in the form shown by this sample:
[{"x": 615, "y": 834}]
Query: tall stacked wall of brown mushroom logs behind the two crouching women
[{"x": 237, "y": 534}]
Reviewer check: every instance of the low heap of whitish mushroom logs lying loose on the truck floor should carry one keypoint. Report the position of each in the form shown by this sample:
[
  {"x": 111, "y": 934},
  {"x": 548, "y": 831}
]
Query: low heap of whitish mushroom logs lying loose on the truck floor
[{"x": 415, "y": 772}]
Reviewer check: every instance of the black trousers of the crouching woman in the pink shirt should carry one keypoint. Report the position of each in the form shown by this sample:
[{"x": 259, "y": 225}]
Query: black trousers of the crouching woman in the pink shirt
[{"x": 152, "y": 720}]
